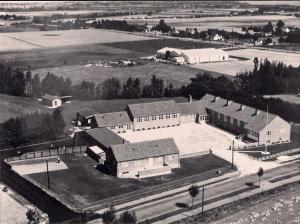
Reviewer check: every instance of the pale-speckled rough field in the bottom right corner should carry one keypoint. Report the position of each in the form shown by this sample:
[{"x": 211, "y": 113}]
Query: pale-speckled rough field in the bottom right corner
[{"x": 283, "y": 208}]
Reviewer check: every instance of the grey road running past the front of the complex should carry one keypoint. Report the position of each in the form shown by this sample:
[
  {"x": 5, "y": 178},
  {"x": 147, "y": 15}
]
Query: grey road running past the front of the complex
[{"x": 161, "y": 207}]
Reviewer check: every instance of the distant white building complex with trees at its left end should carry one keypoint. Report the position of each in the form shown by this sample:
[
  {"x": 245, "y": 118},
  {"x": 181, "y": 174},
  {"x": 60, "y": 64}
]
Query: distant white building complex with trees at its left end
[{"x": 192, "y": 56}]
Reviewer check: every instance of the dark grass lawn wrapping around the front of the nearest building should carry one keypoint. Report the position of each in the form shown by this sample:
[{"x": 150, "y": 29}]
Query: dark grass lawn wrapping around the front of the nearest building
[{"x": 82, "y": 183}]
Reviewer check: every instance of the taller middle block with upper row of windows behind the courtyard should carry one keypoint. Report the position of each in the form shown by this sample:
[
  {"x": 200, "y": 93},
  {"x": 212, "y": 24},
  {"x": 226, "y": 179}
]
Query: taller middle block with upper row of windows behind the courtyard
[{"x": 154, "y": 115}]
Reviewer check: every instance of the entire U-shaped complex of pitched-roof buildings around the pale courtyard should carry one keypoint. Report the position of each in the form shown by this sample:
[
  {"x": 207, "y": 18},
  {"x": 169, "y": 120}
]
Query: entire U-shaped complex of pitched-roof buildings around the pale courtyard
[{"x": 143, "y": 159}]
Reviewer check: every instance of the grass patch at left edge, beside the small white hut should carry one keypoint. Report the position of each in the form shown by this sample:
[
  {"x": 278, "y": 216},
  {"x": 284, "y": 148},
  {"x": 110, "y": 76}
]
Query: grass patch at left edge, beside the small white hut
[{"x": 12, "y": 106}]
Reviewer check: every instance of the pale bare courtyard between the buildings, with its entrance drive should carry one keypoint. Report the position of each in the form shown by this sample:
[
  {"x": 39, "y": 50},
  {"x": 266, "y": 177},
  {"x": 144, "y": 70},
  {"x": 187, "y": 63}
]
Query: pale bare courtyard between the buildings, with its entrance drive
[{"x": 202, "y": 137}]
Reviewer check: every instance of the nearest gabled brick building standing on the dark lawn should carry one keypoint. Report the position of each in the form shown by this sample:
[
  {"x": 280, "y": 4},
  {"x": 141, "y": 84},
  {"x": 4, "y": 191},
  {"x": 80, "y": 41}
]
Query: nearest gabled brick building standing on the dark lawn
[{"x": 143, "y": 159}]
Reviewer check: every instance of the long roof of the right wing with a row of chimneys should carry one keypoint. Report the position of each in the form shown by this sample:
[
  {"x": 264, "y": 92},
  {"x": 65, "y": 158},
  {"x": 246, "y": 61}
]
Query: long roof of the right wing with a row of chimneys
[{"x": 254, "y": 121}]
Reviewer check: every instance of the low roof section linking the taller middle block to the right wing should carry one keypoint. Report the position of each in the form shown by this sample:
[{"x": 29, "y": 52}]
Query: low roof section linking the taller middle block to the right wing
[{"x": 195, "y": 107}]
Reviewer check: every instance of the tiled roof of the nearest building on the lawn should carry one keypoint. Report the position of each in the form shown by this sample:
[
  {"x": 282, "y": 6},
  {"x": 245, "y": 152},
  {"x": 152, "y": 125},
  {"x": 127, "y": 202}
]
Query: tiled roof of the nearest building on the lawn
[{"x": 141, "y": 150}]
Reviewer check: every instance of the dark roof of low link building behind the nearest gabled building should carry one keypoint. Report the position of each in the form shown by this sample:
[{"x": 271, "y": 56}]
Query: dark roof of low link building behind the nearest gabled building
[{"x": 105, "y": 136}]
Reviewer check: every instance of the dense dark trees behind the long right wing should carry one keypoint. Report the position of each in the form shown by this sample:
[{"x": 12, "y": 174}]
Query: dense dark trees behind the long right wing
[{"x": 249, "y": 87}]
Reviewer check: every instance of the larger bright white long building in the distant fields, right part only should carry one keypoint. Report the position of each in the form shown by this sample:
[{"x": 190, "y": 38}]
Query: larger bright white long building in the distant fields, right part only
[{"x": 195, "y": 56}]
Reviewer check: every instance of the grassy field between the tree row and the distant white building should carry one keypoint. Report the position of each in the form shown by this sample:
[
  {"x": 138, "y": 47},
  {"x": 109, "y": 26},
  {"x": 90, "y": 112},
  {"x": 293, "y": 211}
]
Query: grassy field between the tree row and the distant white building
[{"x": 178, "y": 75}]
